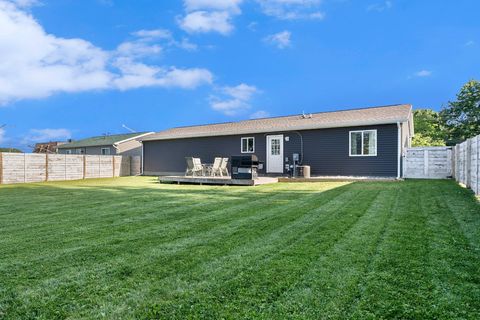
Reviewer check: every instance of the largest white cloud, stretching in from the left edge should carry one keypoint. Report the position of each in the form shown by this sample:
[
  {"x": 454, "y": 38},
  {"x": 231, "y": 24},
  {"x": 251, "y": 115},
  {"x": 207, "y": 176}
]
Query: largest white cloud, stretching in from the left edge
[{"x": 35, "y": 64}]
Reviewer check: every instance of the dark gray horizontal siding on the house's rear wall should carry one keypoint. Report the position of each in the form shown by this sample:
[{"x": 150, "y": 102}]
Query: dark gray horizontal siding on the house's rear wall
[{"x": 325, "y": 150}]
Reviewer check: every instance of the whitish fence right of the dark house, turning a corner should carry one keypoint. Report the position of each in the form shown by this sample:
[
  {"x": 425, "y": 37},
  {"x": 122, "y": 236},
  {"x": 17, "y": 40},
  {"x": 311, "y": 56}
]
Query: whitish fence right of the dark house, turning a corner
[{"x": 461, "y": 162}]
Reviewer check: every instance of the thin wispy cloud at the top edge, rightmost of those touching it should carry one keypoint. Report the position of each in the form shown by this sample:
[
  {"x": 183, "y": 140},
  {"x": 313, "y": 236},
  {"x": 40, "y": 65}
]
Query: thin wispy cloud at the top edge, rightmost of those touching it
[{"x": 292, "y": 9}]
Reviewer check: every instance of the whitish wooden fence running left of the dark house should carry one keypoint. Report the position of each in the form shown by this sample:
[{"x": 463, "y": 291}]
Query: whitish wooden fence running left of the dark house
[{"x": 24, "y": 167}]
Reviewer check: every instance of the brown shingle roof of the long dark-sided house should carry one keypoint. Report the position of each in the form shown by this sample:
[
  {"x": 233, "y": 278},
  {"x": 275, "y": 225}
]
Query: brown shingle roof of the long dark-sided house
[{"x": 334, "y": 119}]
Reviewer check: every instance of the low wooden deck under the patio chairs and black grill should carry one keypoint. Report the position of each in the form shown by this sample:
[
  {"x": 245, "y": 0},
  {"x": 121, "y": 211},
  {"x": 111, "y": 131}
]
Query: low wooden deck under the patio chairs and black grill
[{"x": 226, "y": 181}]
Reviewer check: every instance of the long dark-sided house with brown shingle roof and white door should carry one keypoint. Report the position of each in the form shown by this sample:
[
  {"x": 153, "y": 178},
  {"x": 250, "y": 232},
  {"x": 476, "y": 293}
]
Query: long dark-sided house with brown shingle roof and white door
[{"x": 359, "y": 142}]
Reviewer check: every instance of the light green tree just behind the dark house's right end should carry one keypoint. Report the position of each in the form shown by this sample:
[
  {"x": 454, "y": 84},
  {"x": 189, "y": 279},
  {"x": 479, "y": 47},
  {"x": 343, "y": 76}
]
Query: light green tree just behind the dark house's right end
[{"x": 429, "y": 130}]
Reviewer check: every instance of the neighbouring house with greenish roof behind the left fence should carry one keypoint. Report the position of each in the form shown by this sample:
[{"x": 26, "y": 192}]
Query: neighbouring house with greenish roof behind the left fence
[{"x": 118, "y": 144}]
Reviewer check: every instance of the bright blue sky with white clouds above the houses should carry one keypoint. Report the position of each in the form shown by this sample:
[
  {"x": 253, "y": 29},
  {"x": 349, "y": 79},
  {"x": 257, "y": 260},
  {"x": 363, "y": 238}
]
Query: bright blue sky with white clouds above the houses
[{"x": 73, "y": 69}]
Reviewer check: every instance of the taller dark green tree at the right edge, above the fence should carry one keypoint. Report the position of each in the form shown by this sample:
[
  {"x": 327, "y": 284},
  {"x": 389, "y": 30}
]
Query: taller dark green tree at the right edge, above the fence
[{"x": 462, "y": 117}]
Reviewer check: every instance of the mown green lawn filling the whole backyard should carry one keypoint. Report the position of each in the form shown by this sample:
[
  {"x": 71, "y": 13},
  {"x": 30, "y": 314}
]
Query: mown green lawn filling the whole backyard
[{"x": 131, "y": 248}]
